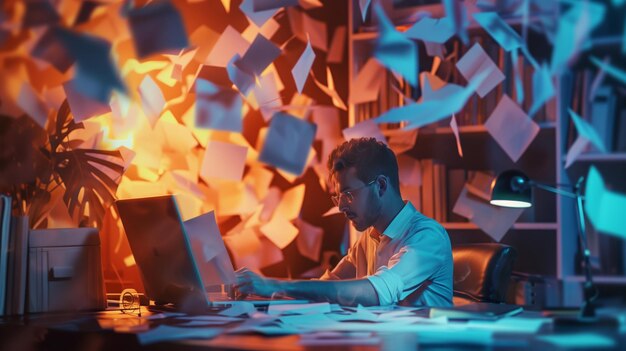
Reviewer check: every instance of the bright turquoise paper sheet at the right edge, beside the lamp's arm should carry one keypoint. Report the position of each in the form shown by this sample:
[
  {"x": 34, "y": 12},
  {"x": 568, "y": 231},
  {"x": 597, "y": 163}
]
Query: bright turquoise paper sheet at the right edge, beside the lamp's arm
[{"x": 604, "y": 207}]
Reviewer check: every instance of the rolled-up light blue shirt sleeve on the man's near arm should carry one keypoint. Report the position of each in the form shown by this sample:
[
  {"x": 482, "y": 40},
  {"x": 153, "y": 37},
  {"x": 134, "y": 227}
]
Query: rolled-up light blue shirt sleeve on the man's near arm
[{"x": 413, "y": 264}]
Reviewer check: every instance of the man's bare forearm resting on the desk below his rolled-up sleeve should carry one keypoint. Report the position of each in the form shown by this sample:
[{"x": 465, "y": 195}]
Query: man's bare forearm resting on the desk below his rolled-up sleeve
[{"x": 345, "y": 292}]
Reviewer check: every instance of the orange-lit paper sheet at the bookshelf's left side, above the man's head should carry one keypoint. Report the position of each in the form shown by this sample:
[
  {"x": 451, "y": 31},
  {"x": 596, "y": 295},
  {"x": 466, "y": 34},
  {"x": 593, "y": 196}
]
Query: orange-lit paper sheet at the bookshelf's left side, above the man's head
[{"x": 367, "y": 83}]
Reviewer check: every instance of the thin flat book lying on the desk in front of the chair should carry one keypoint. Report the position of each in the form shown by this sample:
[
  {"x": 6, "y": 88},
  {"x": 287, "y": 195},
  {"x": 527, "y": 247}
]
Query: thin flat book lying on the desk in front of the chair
[{"x": 476, "y": 311}]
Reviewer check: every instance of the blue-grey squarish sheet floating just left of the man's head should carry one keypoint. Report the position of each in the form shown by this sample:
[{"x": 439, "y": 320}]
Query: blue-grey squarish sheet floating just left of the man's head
[{"x": 288, "y": 130}]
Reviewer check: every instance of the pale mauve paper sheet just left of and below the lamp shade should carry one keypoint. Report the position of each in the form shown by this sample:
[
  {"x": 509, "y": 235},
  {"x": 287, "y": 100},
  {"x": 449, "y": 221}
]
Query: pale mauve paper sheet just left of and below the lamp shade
[{"x": 493, "y": 220}]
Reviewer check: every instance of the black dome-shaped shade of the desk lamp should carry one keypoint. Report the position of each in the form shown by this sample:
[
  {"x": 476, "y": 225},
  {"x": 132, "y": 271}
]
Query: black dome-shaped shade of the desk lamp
[{"x": 511, "y": 189}]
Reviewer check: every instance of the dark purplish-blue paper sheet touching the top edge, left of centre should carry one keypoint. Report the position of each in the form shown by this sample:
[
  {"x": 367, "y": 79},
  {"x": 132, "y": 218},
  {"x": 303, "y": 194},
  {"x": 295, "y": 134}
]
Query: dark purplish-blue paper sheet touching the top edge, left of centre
[{"x": 157, "y": 28}]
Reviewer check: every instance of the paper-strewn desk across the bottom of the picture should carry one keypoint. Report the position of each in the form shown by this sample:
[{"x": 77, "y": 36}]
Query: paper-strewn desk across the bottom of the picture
[{"x": 113, "y": 330}]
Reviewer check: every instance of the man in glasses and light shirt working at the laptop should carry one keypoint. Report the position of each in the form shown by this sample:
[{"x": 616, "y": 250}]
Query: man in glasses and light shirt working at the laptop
[{"x": 402, "y": 257}]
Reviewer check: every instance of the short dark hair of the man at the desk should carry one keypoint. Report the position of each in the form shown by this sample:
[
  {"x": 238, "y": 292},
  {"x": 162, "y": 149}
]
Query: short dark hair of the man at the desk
[{"x": 369, "y": 157}]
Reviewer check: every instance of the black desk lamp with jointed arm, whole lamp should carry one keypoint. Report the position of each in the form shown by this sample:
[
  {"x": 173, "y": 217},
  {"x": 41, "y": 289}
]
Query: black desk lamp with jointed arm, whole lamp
[{"x": 512, "y": 188}]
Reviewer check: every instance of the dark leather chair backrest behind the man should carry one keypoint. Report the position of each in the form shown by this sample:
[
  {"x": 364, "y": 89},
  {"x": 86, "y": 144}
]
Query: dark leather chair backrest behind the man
[{"x": 482, "y": 271}]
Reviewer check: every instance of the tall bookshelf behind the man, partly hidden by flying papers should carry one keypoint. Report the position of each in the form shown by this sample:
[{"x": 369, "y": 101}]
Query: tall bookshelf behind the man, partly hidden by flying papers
[{"x": 544, "y": 235}]
